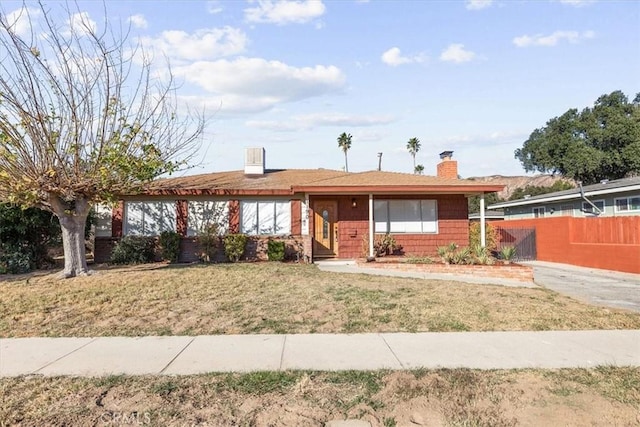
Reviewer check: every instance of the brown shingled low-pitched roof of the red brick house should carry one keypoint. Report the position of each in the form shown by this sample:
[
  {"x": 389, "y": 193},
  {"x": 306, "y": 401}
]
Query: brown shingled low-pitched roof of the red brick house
[{"x": 314, "y": 181}]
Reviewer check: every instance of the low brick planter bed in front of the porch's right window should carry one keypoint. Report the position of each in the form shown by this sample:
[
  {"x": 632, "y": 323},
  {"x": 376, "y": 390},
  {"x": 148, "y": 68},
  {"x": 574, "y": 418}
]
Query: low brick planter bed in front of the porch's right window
[{"x": 517, "y": 272}]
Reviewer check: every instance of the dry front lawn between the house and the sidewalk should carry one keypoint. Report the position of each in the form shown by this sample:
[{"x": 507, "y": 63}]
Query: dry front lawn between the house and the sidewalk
[{"x": 279, "y": 298}]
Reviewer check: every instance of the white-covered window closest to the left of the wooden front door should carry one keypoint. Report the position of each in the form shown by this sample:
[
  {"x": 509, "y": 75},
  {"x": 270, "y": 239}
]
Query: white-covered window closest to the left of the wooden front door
[{"x": 265, "y": 217}]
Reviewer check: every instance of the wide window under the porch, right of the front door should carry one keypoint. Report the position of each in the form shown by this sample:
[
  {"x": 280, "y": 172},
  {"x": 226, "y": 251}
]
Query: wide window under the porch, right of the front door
[{"x": 405, "y": 216}]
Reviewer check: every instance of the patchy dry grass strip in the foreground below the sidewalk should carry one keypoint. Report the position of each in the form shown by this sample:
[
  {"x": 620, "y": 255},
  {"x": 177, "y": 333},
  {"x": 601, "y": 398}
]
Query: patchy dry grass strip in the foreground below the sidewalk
[{"x": 458, "y": 397}]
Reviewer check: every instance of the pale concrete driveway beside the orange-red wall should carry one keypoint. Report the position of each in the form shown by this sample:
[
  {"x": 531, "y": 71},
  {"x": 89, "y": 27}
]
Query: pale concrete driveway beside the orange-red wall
[{"x": 600, "y": 287}]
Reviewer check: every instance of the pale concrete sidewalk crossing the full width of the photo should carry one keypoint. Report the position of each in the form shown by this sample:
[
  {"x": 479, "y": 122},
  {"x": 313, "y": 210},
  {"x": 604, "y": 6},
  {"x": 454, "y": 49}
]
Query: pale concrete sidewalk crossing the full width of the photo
[{"x": 184, "y": 355}]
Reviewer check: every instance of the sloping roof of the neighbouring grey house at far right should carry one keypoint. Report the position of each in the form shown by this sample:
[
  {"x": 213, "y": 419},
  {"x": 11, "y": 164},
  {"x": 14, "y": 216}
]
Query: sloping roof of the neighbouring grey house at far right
[{"x": 602, "y": 188}]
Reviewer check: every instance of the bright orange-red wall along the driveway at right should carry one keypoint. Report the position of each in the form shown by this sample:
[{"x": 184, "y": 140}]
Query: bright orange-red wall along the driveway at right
[{"x": 611, "y": 243}]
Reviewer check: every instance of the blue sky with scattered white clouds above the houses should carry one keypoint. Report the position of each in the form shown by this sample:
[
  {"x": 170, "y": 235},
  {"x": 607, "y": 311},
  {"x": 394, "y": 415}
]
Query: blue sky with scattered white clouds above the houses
[{"x": 476, "y": 77}]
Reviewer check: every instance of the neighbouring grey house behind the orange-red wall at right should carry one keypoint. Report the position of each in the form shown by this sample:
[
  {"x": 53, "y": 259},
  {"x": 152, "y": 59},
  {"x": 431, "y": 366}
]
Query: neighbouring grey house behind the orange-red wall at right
[{"x": 620, "y": 197}]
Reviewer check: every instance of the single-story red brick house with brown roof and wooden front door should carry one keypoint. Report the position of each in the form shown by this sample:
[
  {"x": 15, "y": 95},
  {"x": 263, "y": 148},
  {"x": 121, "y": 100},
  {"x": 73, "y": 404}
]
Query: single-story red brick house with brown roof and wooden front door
[{"x": 327, "y": 213}]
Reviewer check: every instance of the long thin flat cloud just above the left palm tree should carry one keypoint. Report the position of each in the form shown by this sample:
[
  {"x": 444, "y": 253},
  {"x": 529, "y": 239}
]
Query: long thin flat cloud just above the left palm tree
[{"x": 311, "y": 121}]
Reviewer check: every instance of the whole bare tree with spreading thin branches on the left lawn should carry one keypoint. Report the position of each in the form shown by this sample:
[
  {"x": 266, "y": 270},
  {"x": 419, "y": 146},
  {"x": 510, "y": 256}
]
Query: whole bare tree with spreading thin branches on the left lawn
[{"x": 82, "y": 119}]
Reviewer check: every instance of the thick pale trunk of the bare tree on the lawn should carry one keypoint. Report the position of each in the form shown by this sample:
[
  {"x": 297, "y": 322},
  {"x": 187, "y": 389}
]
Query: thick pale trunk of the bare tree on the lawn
[{"x": 72, "y": 223}]
